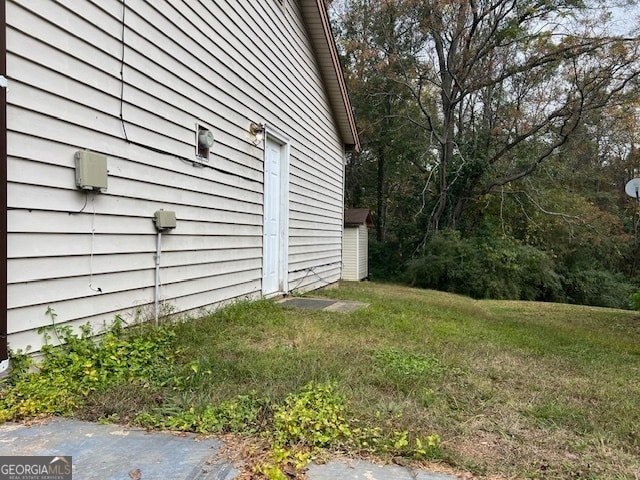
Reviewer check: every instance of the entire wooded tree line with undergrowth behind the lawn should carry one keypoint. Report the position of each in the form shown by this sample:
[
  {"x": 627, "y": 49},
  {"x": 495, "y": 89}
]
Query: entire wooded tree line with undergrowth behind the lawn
[{"x": 497, "y": 138}]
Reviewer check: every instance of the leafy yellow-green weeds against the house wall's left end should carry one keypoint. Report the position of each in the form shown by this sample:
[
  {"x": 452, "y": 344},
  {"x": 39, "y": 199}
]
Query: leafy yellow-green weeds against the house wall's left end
[{"x": 81, "y": 365}]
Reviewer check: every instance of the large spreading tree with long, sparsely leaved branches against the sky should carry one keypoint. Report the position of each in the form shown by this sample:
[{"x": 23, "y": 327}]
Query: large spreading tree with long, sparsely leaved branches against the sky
[{"x": 498, "y": 85}]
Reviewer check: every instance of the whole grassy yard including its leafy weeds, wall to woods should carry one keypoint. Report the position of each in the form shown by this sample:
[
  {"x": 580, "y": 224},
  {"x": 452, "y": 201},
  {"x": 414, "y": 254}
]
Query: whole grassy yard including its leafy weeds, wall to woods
[{"x": 501, "y": 389}]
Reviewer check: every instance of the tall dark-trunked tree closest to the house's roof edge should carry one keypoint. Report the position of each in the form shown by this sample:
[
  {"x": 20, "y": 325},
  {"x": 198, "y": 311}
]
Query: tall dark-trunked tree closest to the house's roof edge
[{"x": 373, "y": 51}]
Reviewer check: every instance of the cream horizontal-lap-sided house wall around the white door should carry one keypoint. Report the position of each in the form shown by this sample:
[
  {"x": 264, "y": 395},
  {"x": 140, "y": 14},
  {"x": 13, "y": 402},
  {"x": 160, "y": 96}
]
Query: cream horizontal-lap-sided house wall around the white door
[{"x": 79, "y": 80}]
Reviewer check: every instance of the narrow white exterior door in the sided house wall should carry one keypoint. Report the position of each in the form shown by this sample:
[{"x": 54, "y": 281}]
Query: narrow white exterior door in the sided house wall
[{"x": 275, "y": 215}]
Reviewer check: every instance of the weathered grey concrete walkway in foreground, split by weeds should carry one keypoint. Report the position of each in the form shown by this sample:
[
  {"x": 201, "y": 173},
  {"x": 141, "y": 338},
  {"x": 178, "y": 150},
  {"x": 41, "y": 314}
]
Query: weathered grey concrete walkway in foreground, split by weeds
[{"x": 112, "y": 452}]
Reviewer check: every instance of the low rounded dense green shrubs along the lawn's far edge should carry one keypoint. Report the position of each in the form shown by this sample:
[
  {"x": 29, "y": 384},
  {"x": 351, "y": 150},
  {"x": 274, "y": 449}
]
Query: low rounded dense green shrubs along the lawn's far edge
[{"x": 502, "y": 268}]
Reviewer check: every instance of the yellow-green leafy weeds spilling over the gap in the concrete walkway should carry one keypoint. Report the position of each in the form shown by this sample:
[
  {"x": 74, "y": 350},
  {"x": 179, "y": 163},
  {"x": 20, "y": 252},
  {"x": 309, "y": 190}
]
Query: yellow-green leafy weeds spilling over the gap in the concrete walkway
[{"x": 296, "y": 431}]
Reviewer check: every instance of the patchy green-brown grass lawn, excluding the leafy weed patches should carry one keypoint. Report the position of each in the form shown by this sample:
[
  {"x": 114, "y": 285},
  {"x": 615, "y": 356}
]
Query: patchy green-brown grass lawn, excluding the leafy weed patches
[{"x": 513, "y": 389}]
